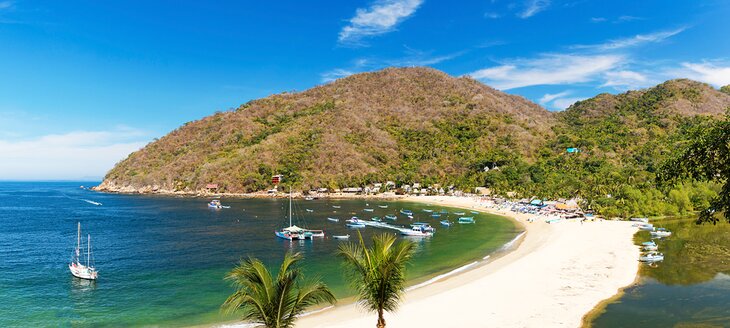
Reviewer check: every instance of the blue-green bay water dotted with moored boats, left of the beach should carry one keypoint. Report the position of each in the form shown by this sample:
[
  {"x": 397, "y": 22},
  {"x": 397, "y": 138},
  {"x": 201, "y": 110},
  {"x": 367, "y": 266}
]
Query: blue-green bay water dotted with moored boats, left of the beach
[{"x": 162, "y": 259}]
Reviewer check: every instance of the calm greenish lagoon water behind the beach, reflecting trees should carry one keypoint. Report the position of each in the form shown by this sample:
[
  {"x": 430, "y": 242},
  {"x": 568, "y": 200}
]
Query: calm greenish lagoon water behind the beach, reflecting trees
[{"x": 690, "y": 288}]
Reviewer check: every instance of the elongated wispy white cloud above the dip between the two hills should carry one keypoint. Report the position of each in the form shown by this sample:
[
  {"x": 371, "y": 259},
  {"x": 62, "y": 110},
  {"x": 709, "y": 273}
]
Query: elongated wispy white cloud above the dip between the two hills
[{"x": 548, "y": 69}]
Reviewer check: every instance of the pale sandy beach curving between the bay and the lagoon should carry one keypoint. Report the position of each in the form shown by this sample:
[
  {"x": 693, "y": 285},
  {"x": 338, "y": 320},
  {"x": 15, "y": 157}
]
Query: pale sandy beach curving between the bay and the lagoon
[{"x": 557, "y": 274}]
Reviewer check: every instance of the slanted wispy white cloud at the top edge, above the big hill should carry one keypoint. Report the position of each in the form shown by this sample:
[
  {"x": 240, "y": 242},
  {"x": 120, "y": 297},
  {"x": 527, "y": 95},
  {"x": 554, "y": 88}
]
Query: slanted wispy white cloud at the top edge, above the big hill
[{"x": 381, "y": 17}]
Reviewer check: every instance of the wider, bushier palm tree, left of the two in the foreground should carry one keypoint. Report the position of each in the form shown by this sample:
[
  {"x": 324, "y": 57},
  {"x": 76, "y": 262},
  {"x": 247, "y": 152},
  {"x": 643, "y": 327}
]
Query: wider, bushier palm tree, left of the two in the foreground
[{"x": 273, "y": 302}]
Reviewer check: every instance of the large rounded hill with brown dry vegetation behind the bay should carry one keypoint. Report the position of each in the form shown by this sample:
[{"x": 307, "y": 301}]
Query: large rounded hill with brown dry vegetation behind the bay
[{"x": 402, "y": 124}]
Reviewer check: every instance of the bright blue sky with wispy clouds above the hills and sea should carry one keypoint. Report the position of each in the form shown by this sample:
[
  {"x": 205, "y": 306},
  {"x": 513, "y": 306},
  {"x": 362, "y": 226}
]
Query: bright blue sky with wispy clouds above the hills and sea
[{"x": 83, "y": 83}]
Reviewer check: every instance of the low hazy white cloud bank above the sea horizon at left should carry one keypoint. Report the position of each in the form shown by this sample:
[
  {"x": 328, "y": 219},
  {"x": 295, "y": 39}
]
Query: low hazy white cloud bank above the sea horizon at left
[{"x": 71, "y": 155}]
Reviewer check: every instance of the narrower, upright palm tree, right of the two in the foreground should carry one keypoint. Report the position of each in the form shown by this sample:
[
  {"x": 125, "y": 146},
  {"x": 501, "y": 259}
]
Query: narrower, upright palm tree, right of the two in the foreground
[{"x": 378, "y": 273}]
